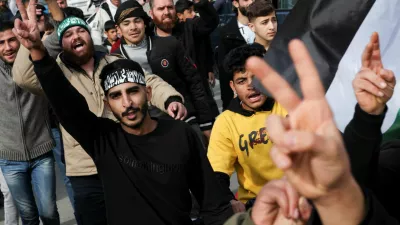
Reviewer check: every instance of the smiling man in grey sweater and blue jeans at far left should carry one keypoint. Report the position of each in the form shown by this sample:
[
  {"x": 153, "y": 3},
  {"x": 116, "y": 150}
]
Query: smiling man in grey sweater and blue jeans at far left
[{"x": 26, "y": 158}]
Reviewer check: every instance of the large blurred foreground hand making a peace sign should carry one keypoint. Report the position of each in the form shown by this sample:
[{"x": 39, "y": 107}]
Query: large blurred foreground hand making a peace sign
[{"x": 307, "y": 144}]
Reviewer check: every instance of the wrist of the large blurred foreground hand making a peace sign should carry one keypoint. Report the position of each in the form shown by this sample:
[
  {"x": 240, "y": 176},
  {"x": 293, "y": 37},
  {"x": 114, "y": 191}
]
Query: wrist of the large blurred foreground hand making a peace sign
[{"x": 344, "y": 205}]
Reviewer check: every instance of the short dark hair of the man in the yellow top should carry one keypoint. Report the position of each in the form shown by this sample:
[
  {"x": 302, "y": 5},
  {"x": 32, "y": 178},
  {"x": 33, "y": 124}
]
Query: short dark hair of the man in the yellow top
[{"x": 235, "y": 61}]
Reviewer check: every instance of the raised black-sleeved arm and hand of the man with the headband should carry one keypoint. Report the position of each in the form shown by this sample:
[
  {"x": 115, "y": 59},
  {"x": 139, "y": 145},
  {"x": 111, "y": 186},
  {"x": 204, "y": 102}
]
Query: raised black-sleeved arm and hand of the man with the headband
[{"x": 70, "y": 107}]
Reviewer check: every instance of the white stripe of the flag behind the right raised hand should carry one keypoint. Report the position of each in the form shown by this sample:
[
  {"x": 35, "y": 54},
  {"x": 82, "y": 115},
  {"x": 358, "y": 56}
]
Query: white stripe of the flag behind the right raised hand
[{"x": 383, "y": 18}]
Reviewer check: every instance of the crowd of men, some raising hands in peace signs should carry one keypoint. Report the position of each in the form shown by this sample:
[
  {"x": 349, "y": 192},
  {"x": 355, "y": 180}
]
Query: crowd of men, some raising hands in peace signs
[{"x": 121, "y": 102}]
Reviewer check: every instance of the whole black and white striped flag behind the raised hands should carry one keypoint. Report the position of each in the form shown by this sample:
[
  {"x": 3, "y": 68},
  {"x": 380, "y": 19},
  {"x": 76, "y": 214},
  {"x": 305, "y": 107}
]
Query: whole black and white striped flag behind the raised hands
[{"x": 336, "y": 33}]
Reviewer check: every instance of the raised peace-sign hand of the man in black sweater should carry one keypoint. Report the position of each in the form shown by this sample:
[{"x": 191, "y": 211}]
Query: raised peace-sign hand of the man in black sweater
[{"x": 27, "y": 30}]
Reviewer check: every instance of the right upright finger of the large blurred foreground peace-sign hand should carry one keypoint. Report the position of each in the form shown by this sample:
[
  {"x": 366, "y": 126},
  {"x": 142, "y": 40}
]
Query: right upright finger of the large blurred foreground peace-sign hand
[{"x": 310, "y": 82}]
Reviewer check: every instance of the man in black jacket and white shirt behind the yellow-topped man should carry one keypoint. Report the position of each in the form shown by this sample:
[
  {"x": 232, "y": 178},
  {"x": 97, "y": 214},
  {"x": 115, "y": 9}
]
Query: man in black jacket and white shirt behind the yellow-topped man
[{"x": 233, "y": 35}]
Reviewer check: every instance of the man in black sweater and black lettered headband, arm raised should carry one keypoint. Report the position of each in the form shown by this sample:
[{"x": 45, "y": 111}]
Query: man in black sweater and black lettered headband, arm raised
[{"x": 147, "y": 166}]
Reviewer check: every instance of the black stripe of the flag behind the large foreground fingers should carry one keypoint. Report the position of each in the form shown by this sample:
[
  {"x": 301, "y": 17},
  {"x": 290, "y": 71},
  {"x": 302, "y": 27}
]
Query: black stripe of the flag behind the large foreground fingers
[{"x": 326, "y": 27}]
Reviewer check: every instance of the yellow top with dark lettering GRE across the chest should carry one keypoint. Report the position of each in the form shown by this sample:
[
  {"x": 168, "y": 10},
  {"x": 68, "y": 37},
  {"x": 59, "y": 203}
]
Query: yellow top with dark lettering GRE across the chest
[{"x": 239, "y": 141}]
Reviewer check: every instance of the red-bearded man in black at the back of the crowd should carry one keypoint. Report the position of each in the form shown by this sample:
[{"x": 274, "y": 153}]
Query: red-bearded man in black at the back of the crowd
[{"x": 190, "y": 32}]
